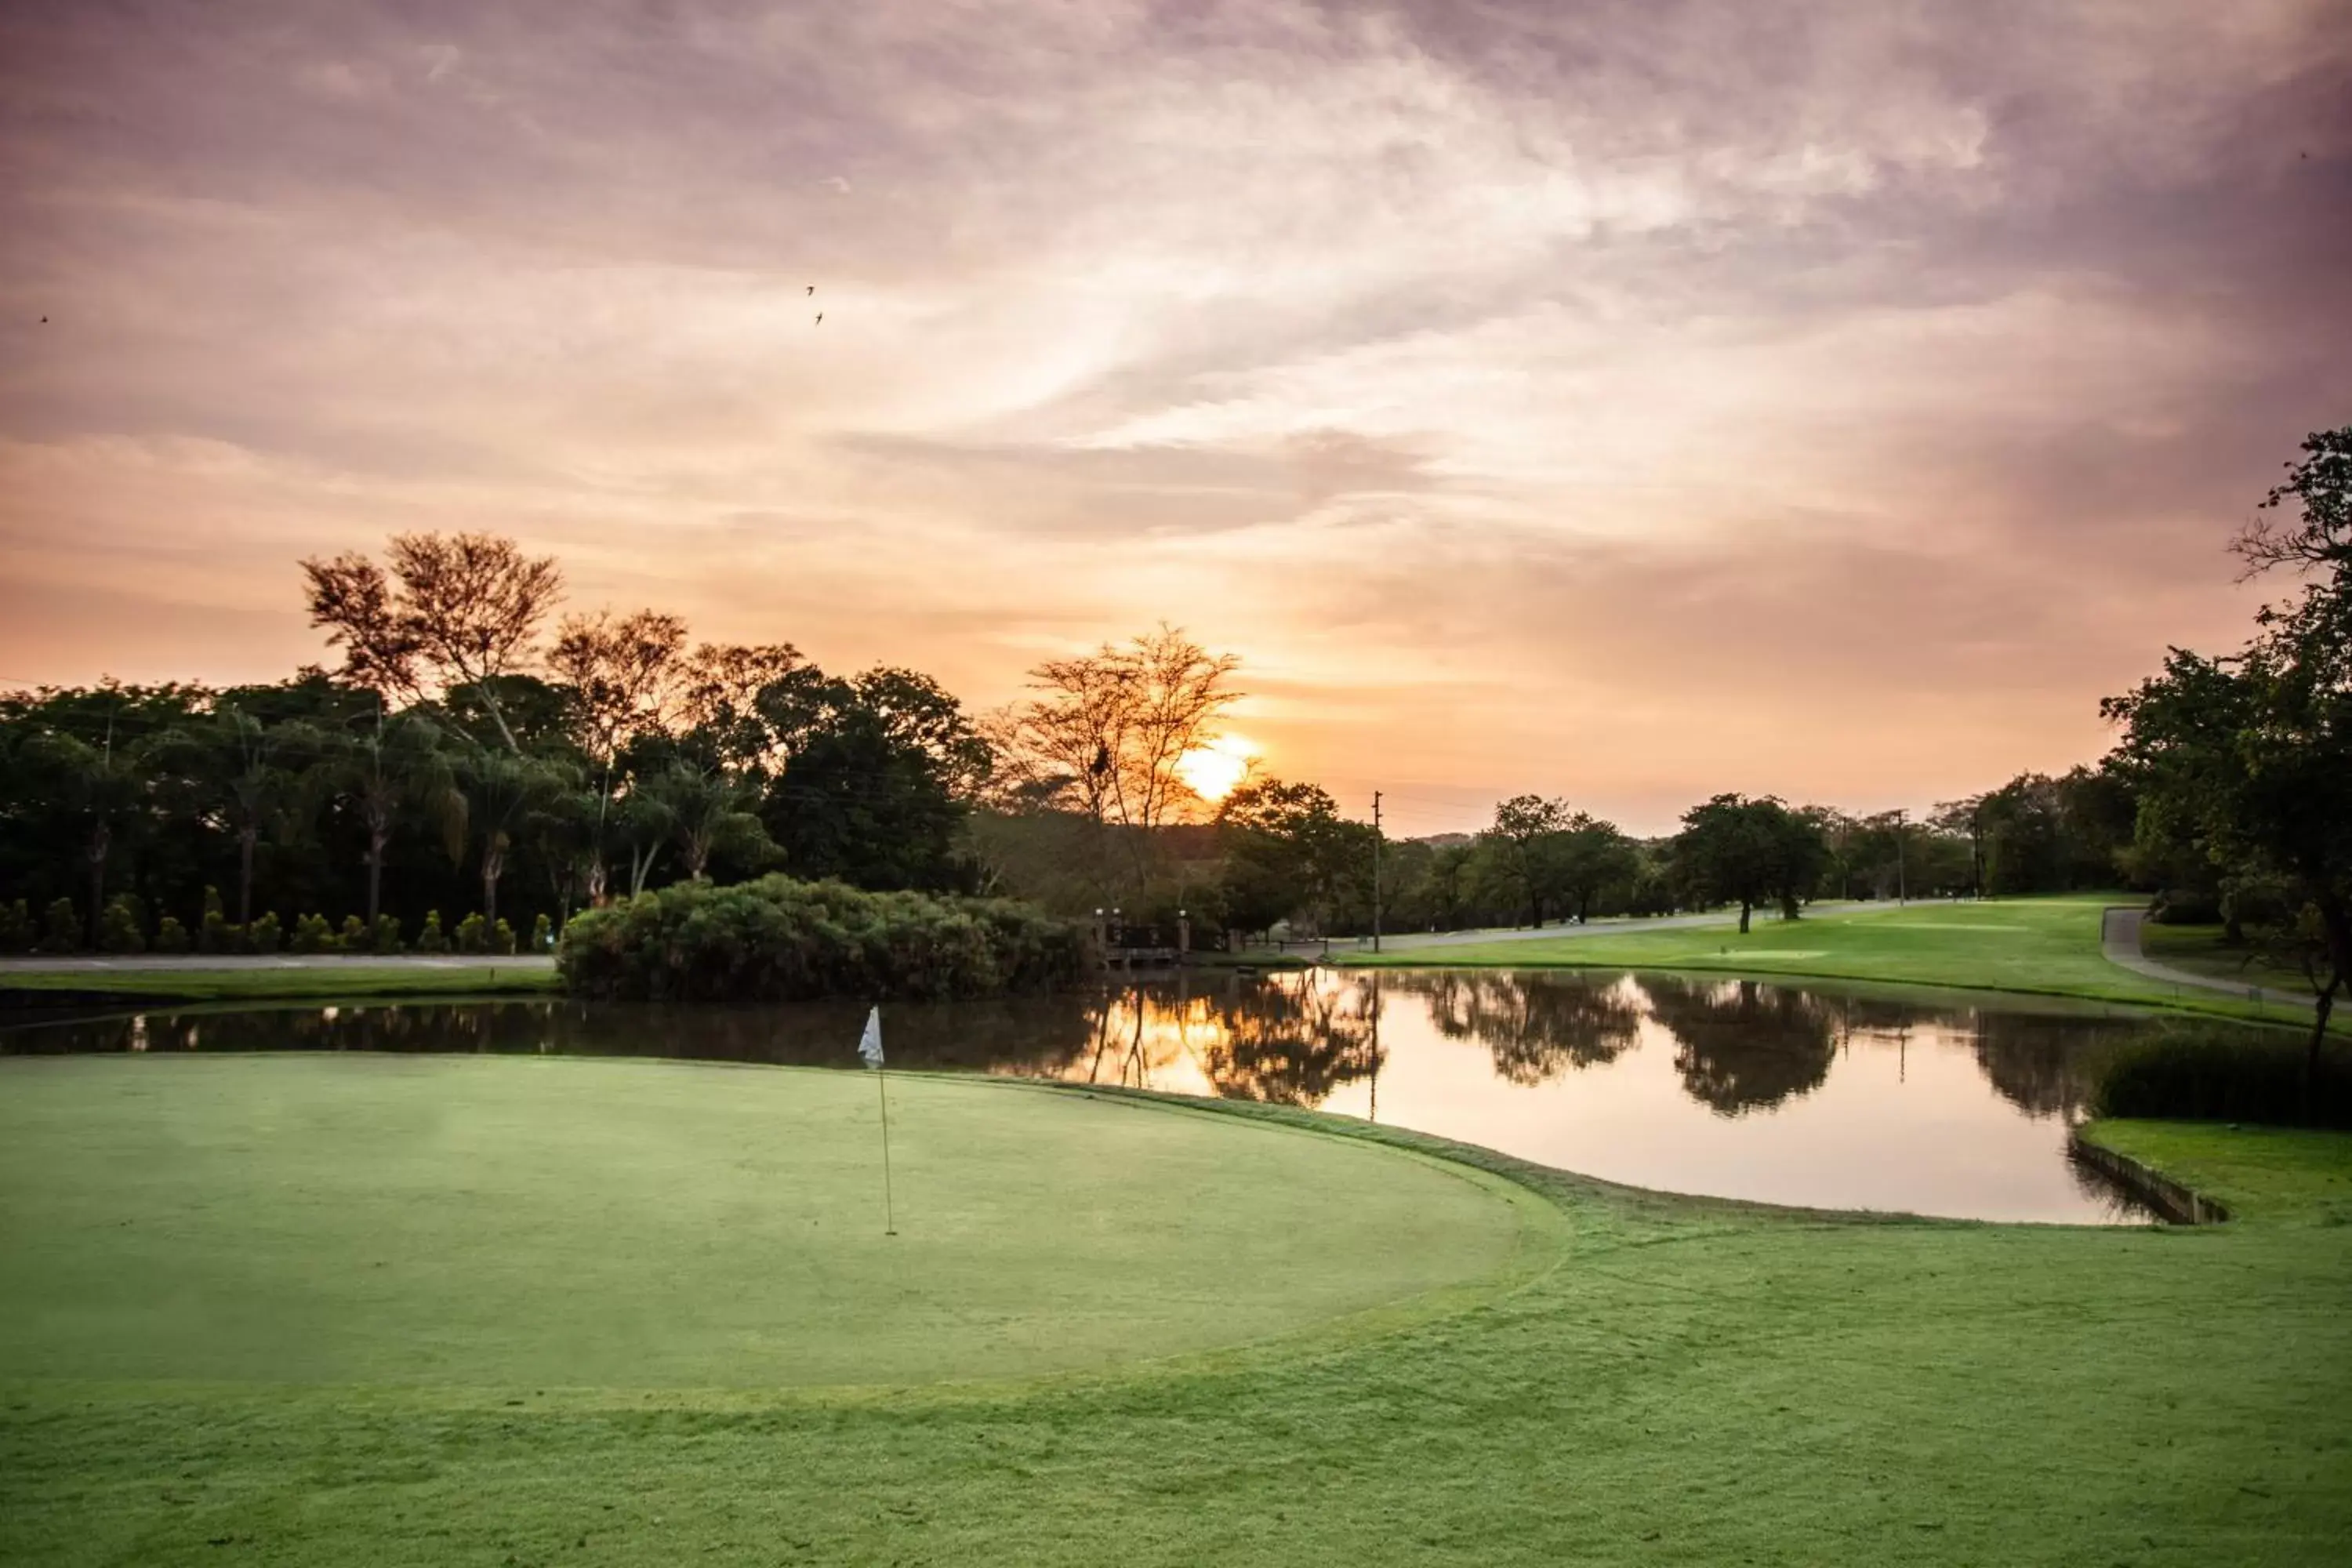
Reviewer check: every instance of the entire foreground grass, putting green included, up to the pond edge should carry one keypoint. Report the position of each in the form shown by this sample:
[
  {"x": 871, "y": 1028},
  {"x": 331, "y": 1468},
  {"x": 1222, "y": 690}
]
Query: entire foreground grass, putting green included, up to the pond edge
[{"x": 1636, "y": 1381}]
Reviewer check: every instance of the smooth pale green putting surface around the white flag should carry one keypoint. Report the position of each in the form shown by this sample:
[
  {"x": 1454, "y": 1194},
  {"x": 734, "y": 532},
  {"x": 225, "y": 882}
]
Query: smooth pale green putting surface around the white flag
[{"x": 613, "y": 1226}]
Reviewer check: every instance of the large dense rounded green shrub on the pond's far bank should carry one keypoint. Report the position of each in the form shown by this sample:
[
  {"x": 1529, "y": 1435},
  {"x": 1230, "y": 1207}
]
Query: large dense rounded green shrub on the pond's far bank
[{"x": 780, "y": 942}]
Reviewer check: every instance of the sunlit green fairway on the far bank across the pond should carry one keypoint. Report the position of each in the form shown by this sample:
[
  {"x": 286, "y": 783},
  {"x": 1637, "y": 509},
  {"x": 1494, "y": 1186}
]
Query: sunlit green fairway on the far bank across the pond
[{"x": 2045, "y": 946}]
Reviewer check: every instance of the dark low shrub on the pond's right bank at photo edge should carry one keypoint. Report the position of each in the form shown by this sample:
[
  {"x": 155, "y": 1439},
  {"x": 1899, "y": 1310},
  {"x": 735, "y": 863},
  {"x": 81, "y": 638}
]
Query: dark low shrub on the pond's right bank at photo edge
[{"x": 2200, "y": 1073}]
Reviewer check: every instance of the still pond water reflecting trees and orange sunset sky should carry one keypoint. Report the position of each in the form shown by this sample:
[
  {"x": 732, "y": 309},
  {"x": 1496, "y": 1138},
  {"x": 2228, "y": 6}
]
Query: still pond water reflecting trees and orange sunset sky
[{"x": 1723, "y": 1087}]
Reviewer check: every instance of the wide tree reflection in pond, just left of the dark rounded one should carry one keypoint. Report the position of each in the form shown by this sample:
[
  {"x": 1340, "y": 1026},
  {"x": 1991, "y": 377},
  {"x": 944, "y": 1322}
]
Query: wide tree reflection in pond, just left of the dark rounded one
[{"x": 1535, "y": 1026}]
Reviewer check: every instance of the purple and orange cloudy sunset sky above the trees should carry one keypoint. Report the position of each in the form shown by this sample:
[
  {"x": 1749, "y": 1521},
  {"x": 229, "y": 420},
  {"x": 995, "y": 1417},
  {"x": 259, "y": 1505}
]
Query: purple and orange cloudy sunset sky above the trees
[{"x": 1622, "y": 401}]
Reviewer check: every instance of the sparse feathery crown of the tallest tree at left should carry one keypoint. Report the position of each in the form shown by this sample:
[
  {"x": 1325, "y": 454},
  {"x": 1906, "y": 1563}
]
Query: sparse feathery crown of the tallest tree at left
[{"x": 453, "y": 610}]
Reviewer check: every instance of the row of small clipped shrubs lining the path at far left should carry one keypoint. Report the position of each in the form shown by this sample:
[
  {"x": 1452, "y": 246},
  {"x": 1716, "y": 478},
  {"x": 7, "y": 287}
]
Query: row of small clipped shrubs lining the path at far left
[{"x": 123, "y": 927}]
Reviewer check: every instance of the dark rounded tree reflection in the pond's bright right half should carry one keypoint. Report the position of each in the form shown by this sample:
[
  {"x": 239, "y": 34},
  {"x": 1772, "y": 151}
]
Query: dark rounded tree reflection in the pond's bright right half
[{"x": 1742, "y": 1045}]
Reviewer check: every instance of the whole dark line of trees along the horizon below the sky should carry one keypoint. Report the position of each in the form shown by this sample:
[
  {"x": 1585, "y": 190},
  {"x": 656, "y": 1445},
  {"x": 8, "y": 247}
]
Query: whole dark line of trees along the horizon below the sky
[{"x": 486, "y": 758}]
